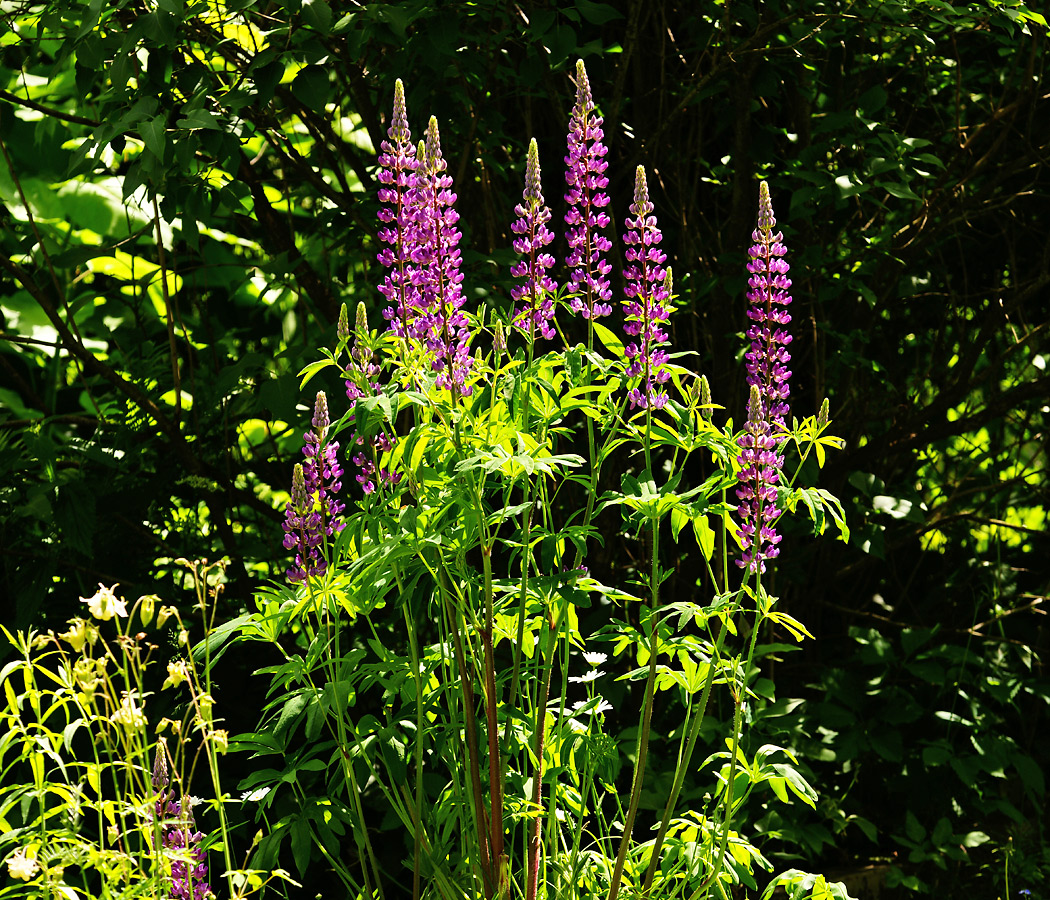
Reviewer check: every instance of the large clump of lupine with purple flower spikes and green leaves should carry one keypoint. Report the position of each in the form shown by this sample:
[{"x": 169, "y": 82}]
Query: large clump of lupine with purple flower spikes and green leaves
[{"x": 492, "y": 765}]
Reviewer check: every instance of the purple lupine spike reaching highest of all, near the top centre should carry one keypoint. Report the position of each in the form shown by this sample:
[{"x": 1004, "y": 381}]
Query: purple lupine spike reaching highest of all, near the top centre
[{"x": 585, "y": 177}]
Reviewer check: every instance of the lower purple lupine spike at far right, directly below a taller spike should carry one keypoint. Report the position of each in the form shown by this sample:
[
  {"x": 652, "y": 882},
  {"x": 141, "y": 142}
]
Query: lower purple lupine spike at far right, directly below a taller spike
[{"x": 758, "y": 493}]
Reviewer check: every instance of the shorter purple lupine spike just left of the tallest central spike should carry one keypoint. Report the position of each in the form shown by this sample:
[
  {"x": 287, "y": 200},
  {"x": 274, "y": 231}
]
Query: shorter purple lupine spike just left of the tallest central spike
[{"x": 538, "y": 287}]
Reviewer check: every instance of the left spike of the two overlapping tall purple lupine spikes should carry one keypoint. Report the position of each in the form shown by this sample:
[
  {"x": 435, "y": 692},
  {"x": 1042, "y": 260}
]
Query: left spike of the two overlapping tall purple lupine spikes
[{"x": 397, "y": 177}]
